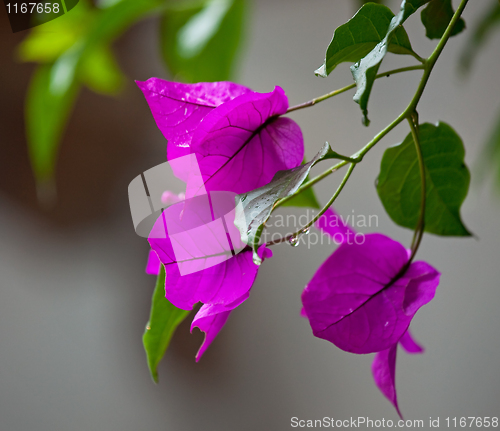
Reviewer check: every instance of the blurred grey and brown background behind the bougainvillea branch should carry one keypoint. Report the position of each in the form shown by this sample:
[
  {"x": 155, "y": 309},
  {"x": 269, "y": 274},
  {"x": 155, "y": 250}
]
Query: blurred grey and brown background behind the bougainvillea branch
[{"x": 74, "y": 298}]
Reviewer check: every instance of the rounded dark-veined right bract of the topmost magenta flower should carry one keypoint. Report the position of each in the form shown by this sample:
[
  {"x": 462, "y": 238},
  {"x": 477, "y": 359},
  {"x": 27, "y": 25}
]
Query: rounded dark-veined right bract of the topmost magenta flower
[{"x": 244, "y": 142}]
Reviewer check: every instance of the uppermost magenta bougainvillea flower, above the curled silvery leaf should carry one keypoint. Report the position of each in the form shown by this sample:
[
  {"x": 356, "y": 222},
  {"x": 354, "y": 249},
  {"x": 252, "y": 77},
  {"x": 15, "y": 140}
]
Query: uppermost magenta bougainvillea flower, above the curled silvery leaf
[{"x": 237, "y": 134}]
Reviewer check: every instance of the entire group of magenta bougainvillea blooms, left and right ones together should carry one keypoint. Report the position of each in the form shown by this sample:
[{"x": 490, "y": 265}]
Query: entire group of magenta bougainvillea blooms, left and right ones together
[{"x": 359, "y": 299}]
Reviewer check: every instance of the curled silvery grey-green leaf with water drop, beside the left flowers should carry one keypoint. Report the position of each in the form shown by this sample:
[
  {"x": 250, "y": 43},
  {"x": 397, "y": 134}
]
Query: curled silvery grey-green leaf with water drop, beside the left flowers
[{"x": 254, "y": 208}]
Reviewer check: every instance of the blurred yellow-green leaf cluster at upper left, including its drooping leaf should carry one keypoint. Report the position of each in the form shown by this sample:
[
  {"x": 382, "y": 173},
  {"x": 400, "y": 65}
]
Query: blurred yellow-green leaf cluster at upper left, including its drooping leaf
[{"x": 75, "y": 50}]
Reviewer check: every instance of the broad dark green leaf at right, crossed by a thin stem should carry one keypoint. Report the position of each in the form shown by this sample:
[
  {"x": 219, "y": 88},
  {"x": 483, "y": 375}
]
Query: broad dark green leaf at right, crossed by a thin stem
[{"x": 447, "y": 181}]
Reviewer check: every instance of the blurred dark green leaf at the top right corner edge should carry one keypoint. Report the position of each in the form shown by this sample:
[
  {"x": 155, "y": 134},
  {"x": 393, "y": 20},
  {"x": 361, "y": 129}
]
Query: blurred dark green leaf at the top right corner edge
[{"x": 486, "y": 25}]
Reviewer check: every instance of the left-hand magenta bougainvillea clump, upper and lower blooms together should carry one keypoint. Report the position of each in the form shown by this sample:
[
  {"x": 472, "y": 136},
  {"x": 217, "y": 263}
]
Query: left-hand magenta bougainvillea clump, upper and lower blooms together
[{"x": 240, "y": 141}]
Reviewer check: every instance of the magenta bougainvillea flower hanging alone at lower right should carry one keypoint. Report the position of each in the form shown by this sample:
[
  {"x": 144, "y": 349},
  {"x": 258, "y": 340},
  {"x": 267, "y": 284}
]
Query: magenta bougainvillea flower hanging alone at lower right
[{"x": 356, "y": 302}]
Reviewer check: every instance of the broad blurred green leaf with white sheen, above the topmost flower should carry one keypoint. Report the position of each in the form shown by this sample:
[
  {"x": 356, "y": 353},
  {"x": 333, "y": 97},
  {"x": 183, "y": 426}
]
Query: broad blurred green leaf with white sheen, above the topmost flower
[{"x": 200, "y": 42}]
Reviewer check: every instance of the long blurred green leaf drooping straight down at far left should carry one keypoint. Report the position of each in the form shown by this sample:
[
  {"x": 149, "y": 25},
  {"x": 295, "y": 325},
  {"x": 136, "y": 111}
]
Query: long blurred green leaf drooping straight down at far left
[{"x": 49, "y": 102}]
